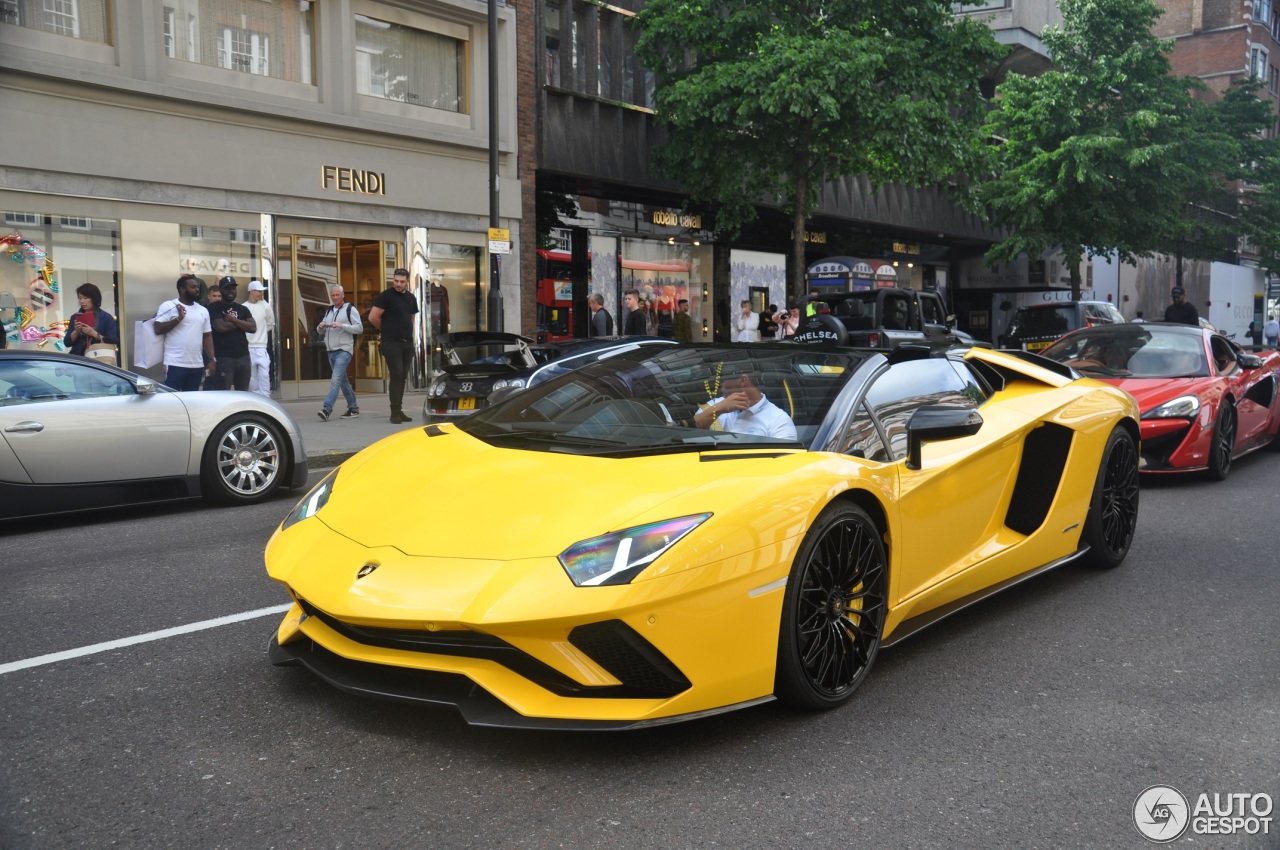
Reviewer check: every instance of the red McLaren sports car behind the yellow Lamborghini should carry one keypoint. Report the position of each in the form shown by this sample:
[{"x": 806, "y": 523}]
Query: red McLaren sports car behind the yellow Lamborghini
[{"x": 1204, "y": 400}]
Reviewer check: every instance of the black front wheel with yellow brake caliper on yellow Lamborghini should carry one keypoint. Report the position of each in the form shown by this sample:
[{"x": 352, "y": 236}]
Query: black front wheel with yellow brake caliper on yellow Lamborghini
[{"x": 834, "y": 610}]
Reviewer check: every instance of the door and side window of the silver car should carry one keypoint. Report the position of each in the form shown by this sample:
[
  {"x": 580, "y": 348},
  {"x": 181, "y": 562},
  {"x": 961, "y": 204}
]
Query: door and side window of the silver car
[{"x": 71, "y": 423}]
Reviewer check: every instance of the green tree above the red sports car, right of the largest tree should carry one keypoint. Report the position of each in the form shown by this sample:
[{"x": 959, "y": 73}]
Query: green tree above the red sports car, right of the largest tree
[{"x": 1098, "y": 156}]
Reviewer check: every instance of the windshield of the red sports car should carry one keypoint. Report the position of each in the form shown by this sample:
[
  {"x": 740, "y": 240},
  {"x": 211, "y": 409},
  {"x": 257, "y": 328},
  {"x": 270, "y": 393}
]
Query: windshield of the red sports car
[{"x": 1133, "y": 351}]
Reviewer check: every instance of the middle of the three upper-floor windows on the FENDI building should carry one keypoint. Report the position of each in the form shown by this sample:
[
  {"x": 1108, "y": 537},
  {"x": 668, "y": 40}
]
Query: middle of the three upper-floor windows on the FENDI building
[{"x": 250, "y": 36}]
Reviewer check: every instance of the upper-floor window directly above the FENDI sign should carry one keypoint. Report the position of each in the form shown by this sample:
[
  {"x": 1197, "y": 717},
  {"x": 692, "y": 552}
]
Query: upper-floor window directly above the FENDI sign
[{"x": 412, "y": 66}]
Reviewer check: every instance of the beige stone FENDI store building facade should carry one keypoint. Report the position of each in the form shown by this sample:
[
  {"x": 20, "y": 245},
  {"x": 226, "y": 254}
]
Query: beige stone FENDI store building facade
[{"x": 303, "y": 143}]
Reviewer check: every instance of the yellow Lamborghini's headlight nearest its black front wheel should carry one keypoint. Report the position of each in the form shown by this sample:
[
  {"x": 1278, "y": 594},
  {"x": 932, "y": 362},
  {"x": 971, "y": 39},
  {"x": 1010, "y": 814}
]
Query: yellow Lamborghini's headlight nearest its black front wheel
[{"x": 620, "y": 556}]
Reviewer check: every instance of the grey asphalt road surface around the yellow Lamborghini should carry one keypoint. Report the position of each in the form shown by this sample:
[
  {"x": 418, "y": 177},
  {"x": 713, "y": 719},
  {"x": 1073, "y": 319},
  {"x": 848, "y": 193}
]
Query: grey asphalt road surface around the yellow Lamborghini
[{"x": 1034, "y": 720}]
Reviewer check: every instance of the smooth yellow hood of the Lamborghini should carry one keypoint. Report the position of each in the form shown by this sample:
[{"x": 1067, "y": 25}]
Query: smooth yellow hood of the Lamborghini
[{"x": 454, "y": 496}]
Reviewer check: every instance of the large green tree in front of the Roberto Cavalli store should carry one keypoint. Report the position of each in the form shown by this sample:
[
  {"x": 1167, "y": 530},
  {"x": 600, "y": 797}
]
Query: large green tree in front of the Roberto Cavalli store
[{"x": 767, "y": 100}]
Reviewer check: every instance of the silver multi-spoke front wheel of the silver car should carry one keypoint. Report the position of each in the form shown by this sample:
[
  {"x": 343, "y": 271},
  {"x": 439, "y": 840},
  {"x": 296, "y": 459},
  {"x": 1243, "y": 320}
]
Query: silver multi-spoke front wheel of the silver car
[{"x": 245, "y": 460}]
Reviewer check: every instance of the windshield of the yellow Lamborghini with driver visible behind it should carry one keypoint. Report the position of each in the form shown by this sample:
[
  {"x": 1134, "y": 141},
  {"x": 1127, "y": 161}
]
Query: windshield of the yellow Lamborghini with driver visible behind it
[{"x": 675, "y": 400}]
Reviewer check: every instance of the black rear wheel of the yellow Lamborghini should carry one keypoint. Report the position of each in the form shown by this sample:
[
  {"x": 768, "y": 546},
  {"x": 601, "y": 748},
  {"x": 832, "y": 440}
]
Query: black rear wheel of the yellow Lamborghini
[{"x": 1113, "y": 518}]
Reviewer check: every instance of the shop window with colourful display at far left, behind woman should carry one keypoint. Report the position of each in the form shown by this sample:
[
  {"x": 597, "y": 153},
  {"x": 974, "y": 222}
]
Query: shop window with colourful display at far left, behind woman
[{"x": 48, "y": 261}]
